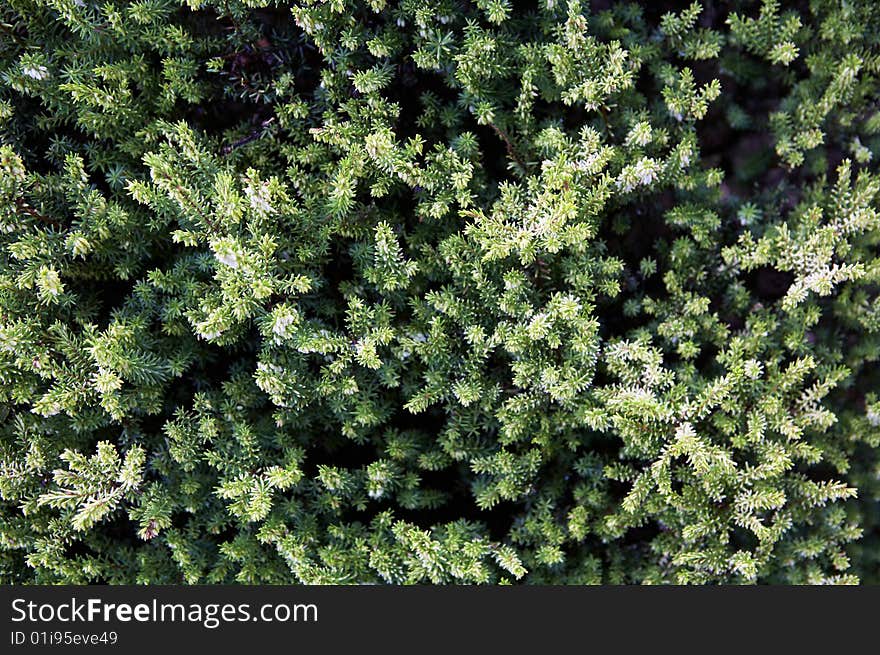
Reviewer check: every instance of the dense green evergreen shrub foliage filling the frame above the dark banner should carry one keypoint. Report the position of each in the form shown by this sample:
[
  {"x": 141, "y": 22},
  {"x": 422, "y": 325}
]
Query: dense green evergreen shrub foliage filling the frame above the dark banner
[{"x": 439, "y": 291}]
